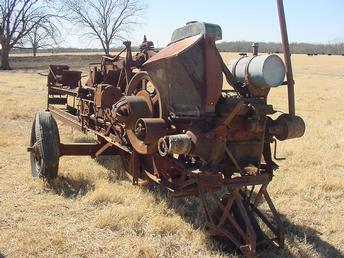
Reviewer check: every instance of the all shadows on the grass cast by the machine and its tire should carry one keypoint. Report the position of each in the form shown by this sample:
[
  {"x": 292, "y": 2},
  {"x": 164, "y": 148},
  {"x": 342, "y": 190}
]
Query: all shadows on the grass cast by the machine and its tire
[{"x": 301, "y": 240}]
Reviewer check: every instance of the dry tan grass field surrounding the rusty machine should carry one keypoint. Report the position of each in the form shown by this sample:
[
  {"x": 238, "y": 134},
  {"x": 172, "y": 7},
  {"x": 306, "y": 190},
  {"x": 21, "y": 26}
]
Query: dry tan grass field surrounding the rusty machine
[{"x": 92, "y": 211}]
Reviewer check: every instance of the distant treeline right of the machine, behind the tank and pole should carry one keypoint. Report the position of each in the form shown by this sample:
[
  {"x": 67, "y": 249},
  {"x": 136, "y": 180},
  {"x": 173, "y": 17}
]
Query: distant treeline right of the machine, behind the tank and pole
[{"x": 296, "y": 48}]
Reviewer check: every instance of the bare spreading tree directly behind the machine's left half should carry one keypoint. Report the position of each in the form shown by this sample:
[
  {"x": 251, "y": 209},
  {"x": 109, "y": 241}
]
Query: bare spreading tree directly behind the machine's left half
[{"x": 105, "y": 20}]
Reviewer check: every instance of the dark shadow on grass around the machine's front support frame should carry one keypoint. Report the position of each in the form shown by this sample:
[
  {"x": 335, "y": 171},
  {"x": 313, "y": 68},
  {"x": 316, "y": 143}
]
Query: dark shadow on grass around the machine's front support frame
[{"x": 301, "y": 240}]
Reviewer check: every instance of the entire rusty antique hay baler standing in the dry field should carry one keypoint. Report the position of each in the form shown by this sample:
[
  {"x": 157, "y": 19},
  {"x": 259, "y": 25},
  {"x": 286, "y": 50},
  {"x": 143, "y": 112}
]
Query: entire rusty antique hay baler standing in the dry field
[{"x": 173, "y": 123}]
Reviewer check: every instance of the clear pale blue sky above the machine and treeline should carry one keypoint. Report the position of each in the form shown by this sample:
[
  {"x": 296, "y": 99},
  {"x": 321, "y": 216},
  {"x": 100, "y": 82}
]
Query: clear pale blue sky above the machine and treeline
[{"x": 314, "y": 21}]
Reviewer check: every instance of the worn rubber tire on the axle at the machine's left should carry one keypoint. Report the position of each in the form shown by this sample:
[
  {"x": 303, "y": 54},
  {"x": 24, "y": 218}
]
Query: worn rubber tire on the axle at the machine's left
[{"x": 45, "y": 133}]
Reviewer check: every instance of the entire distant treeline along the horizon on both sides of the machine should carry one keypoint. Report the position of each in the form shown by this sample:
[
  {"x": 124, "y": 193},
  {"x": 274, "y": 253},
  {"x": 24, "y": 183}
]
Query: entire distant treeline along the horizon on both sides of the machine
[{"x": 235, "y": 46}]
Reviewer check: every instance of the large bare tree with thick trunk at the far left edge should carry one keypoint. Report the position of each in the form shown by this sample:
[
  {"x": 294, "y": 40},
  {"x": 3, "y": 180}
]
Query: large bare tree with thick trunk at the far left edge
[{"x": 17, "y": 19}]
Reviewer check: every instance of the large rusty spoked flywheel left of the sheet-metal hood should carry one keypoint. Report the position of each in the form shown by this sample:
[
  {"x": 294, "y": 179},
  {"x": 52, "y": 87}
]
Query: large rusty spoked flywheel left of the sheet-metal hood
[{"x": 144, "y": 136}]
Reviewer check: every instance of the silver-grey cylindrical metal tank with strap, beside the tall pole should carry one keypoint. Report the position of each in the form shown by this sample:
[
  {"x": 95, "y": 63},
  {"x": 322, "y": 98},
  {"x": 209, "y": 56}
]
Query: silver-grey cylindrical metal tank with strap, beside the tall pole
[{"x": 263, "y": 71}]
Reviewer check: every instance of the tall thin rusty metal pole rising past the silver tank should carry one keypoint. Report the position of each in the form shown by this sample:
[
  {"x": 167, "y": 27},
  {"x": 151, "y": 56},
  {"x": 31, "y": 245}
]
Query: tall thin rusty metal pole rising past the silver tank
[{"x": 287, "y": 59}]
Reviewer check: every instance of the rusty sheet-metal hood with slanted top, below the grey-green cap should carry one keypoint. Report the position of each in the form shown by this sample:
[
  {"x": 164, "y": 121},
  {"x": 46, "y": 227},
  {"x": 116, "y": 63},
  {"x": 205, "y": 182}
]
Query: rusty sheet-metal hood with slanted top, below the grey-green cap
[{"x": 188, "y": 75}]
